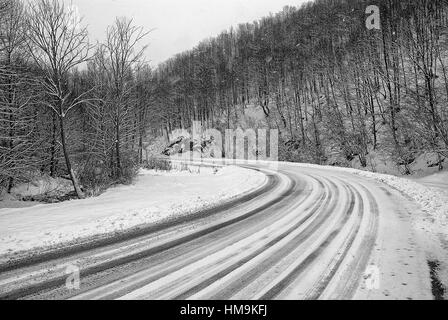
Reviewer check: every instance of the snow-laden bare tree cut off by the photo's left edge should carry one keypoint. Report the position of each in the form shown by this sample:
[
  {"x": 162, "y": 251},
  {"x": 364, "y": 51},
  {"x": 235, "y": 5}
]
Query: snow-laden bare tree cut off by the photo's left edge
[{"x": 18, "y": 94}]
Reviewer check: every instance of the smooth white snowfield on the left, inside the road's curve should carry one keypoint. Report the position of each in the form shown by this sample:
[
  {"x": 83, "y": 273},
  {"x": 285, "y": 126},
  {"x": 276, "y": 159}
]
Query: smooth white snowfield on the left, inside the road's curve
[{"x": 154, "y": 197}]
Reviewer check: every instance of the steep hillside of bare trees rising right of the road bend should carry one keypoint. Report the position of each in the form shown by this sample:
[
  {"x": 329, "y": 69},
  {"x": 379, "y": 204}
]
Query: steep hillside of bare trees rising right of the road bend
[{"x": 336, "y": 90}]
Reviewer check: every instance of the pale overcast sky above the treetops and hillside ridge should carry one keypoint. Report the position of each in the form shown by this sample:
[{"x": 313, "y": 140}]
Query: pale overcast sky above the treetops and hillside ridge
[{"x": 178, "y": 24}]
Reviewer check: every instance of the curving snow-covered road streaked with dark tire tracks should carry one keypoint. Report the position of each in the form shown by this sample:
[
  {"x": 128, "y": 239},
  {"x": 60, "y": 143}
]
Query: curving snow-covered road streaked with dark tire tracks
[{"x": 309, "y": 234}]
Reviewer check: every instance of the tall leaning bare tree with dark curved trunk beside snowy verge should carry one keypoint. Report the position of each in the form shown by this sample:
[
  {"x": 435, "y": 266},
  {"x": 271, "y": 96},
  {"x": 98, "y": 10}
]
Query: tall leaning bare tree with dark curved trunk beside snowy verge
[{"x": 58, "y": 44}]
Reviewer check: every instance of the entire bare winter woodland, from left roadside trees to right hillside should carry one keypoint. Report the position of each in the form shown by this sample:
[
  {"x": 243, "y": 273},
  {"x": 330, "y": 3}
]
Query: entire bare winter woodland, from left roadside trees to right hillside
[{"x": 337, "y": 92}]
